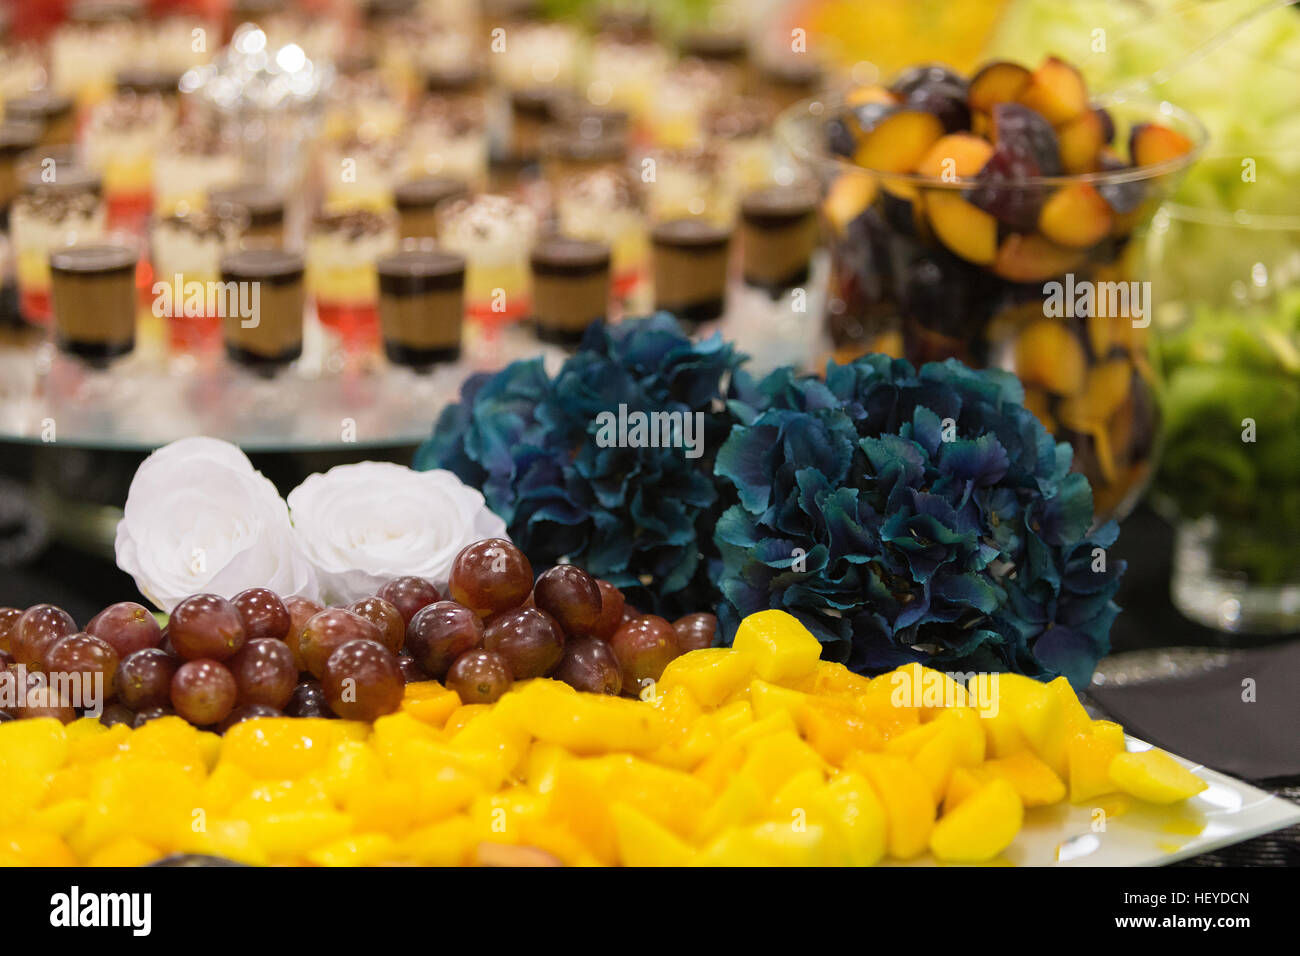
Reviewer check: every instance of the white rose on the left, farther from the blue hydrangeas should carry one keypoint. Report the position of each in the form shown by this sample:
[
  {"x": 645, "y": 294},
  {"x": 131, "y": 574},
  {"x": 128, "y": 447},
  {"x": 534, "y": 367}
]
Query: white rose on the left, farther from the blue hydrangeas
[{"x": 201, "y": 520}]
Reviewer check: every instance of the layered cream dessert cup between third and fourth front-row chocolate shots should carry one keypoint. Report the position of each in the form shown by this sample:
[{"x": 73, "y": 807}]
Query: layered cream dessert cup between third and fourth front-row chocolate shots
[{"x": 495, "y": 235}]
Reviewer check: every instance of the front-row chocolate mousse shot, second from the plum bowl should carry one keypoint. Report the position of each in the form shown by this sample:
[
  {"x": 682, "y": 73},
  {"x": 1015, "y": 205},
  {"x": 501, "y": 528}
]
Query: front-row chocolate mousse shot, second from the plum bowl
[{"x": 691, "y": 269}]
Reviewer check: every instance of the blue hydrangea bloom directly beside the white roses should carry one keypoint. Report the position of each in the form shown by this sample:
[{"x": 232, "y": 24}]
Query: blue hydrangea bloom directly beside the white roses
[{"x": 642, "y": 518}]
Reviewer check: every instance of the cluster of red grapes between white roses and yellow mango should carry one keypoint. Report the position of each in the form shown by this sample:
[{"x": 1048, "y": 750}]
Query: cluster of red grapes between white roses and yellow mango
[{"x": 223, "y": 661}]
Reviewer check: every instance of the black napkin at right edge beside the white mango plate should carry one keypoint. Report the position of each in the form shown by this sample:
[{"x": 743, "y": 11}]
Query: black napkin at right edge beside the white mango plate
[{"x": 1210, "y": 719}]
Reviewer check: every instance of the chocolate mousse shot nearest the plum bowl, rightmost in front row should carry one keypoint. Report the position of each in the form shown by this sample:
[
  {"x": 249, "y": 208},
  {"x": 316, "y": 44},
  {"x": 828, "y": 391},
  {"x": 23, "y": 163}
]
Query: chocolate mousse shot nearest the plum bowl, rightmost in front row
[{"x": 779, "y": 233}]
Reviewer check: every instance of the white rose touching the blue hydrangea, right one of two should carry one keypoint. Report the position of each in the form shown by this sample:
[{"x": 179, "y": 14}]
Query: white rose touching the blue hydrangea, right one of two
[{"x": 363, "y": 525}]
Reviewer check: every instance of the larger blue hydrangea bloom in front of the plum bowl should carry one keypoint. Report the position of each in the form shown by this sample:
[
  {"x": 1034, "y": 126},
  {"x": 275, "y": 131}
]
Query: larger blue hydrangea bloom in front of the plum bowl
[{"x": 908, "y": 516}]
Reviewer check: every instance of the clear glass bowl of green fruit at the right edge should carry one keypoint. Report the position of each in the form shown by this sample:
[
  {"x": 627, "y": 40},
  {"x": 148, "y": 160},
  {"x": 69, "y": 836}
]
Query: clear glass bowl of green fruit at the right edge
[{"x": 1228, "y": 332}]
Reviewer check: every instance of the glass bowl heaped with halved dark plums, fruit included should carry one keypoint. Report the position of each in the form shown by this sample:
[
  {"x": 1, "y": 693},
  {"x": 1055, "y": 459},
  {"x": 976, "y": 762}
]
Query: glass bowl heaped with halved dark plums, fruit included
[{"x": 991, "y": 220}]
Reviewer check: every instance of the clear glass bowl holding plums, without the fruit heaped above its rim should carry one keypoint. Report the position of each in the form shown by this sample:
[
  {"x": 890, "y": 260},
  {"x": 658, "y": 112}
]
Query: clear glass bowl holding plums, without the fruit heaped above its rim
[{"x": 921, "y": 272}]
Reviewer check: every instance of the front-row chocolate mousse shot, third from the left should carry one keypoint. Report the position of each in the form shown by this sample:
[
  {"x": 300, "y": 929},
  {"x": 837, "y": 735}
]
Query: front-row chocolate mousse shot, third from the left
[{"x": 422, "y": 306}]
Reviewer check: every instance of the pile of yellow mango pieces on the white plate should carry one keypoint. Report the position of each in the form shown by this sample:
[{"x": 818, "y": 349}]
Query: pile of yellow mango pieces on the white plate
[{"x": 753, "y": 755}]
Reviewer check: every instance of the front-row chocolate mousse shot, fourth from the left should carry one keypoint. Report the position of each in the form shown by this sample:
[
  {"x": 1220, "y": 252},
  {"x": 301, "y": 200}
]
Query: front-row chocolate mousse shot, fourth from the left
[{"x": 571, "y": 288}]
